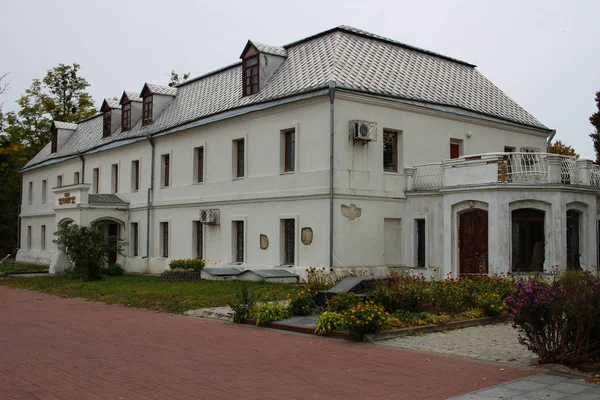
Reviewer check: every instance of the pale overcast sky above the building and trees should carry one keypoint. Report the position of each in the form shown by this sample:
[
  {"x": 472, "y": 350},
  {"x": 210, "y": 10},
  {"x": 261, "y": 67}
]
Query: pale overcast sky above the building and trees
[{"x": 543, "y": 54}]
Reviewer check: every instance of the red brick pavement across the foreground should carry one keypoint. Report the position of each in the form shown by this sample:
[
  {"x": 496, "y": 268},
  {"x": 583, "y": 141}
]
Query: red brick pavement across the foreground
[{"x": 53, "y": 348}]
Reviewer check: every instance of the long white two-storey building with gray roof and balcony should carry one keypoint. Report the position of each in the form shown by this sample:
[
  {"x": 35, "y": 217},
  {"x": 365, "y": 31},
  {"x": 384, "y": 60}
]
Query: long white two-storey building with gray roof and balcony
[{"x": 343, "y": 149}]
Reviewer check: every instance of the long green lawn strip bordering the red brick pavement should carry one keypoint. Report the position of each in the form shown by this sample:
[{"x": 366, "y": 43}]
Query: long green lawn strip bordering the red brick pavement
[{"x": 144, "y": 291}]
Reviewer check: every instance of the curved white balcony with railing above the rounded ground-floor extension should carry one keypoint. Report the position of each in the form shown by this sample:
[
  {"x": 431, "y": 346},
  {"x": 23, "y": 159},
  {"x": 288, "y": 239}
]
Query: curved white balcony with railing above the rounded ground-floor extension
[{"x": 505, "y": 168}]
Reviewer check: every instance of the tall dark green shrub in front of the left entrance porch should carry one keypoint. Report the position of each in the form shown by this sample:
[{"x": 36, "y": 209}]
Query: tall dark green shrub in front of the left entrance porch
[{"x": 87, "y": 248}]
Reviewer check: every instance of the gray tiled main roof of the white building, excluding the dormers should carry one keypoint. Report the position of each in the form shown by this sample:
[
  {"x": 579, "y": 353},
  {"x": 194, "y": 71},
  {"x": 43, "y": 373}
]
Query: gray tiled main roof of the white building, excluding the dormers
[{"x": 351, "y": 58}]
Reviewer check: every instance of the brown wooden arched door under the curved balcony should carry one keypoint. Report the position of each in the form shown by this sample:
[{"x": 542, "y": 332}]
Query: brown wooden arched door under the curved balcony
[{"x": 473, "y": 242}]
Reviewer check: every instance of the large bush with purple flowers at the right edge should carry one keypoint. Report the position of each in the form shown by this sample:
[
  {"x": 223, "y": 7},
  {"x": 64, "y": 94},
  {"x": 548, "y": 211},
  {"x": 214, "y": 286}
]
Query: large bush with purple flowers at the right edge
[{"x": 558, "y": 320}]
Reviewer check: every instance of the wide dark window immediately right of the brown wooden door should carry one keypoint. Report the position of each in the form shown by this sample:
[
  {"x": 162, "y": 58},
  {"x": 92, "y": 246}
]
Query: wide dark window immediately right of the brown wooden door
[{"x": 528, "y": 240}]
